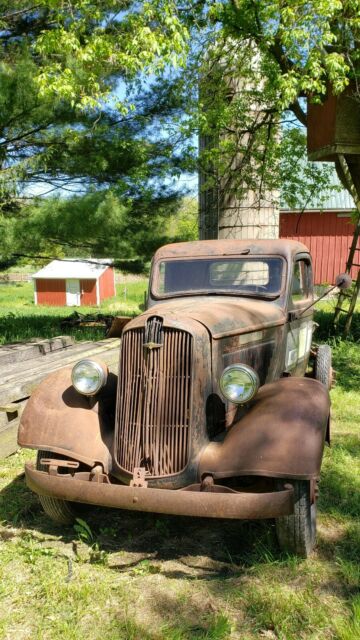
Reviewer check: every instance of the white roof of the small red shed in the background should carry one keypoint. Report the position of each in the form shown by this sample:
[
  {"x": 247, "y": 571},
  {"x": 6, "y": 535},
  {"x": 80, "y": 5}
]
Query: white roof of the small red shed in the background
[{"x": 74, "y": 268}]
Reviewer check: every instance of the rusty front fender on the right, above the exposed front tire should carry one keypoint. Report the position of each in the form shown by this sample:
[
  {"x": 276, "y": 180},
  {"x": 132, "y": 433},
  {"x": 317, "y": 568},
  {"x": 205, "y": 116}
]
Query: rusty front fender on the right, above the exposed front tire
[{"x": 281, "y": 436}]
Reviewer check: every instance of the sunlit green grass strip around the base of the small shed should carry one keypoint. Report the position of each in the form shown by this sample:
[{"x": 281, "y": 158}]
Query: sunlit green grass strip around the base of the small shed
[{"x": 21, "y": 319}]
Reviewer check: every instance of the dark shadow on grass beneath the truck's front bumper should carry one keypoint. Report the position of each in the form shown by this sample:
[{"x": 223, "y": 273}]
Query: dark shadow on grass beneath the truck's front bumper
[{"x": 228, "y": 542}]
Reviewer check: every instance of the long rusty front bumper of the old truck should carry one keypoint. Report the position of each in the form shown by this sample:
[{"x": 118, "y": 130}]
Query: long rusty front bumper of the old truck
[{"x": 190, "y": 501}]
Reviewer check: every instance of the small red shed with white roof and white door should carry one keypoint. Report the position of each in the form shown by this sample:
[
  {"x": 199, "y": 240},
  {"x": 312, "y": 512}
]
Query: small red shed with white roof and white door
[{"x": 74, "y": 282}]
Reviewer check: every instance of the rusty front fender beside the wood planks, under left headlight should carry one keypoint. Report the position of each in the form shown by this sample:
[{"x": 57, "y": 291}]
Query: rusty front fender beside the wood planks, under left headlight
[{"x": 59, "y": 419}]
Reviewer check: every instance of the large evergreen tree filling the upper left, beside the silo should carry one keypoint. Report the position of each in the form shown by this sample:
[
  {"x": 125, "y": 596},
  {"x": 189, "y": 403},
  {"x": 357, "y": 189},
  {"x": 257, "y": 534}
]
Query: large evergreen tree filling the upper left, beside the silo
[{"x": 68, "y": 123}]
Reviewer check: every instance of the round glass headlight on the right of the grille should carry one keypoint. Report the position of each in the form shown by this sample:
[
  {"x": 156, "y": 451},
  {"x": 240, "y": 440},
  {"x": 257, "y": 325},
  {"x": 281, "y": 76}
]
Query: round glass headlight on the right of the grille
[{"x": 239, "y": 383}]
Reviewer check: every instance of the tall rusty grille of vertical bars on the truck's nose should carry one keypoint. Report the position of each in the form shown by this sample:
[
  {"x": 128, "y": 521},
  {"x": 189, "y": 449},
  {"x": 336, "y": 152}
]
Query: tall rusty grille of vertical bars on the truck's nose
[{"x": 154, "y": 395}]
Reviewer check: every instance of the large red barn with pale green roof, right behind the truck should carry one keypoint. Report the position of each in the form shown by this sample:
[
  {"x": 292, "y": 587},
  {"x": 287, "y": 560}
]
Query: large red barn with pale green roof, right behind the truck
[{"x": 326, "y": 228}]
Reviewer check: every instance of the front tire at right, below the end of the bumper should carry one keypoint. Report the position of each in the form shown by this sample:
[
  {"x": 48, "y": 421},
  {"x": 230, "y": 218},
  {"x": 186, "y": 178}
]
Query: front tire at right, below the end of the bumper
[{"x": 296, "y": 533}]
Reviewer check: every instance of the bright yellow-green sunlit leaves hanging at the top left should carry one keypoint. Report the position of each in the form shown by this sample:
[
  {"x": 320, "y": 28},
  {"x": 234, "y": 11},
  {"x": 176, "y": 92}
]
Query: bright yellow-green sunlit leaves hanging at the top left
[{"x": 80, "y": 51}]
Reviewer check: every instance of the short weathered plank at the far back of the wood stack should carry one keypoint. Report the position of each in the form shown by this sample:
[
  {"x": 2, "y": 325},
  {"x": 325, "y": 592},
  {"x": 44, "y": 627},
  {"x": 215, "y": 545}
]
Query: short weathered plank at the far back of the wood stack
[{"x": 20, "y": 352}]
